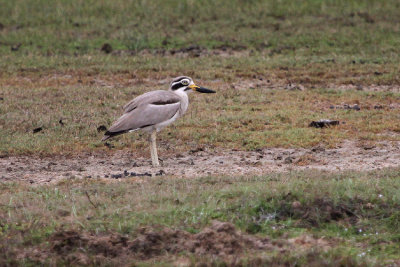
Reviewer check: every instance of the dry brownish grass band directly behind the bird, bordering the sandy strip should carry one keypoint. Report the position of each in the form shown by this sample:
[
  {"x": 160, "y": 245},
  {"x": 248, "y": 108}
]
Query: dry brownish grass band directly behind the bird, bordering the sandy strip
[{"x": 242, "y": 119}]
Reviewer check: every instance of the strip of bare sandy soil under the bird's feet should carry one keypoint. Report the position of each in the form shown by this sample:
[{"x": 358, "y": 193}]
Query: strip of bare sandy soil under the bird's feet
[{"x": 201, "y": 162}]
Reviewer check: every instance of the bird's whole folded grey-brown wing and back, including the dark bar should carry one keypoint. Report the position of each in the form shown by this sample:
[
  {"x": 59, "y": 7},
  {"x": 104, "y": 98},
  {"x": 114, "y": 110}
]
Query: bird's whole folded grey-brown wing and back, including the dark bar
[{"x": 146, "y": 110}]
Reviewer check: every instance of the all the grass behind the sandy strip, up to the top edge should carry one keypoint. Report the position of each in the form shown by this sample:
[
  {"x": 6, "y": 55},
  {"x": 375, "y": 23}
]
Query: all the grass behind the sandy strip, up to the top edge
[{"x": 58, "y": 71}]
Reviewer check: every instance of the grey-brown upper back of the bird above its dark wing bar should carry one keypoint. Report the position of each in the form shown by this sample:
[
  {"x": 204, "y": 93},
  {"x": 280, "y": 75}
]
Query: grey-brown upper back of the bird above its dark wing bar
[{"x": 159, "y": 96}]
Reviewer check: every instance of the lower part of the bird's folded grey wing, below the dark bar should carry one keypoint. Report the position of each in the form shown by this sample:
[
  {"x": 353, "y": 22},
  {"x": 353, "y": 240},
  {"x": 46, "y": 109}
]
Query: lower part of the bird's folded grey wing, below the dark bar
[{"x": 141, "y": 117}]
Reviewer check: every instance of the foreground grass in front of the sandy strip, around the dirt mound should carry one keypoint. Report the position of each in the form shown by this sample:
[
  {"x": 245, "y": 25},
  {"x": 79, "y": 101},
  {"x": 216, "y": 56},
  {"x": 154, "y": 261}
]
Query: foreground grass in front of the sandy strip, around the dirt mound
[{"x": 355, "y": 212}]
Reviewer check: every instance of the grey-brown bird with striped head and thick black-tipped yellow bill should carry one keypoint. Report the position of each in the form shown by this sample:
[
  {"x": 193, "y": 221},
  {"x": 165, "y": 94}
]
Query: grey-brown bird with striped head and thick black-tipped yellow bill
[{"x": 154, "y": 110}]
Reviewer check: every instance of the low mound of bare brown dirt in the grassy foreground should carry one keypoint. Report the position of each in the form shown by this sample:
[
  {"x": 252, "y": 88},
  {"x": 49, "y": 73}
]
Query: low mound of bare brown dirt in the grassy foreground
[{"x": 221, "y": 240}]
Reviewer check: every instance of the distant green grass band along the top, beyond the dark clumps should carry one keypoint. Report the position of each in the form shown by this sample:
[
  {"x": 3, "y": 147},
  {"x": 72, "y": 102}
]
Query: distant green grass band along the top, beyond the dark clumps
[{"x": 311, "y": 27}]
